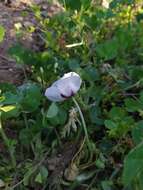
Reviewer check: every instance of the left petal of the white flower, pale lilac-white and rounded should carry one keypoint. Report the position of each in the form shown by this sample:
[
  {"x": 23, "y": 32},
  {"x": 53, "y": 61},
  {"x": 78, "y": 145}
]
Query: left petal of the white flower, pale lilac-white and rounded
[{"x": 53, "y": 94}]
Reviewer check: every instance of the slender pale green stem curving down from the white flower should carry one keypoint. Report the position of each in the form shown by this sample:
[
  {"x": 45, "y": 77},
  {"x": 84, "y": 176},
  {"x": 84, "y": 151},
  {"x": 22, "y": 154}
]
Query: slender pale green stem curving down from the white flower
[{"x": 83, "y": 122}]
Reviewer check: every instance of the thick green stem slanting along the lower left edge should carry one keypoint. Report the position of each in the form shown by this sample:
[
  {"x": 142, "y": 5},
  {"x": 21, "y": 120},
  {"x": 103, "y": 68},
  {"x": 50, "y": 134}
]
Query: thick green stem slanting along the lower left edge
[{"x": 6, "y": 141}]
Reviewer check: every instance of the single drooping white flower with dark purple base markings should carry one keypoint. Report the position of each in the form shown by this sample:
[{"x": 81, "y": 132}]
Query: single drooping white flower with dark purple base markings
[{"x": 64, "y": 88}]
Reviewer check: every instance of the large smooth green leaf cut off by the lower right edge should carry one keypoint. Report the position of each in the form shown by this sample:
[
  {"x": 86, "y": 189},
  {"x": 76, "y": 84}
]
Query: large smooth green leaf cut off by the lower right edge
[{"x": 133, "y": 165}]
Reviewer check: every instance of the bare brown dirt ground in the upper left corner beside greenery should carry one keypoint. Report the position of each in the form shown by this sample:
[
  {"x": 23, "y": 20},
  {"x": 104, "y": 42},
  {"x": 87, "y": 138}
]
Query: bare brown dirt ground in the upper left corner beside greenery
[{"x": 10, "y": 16}]
